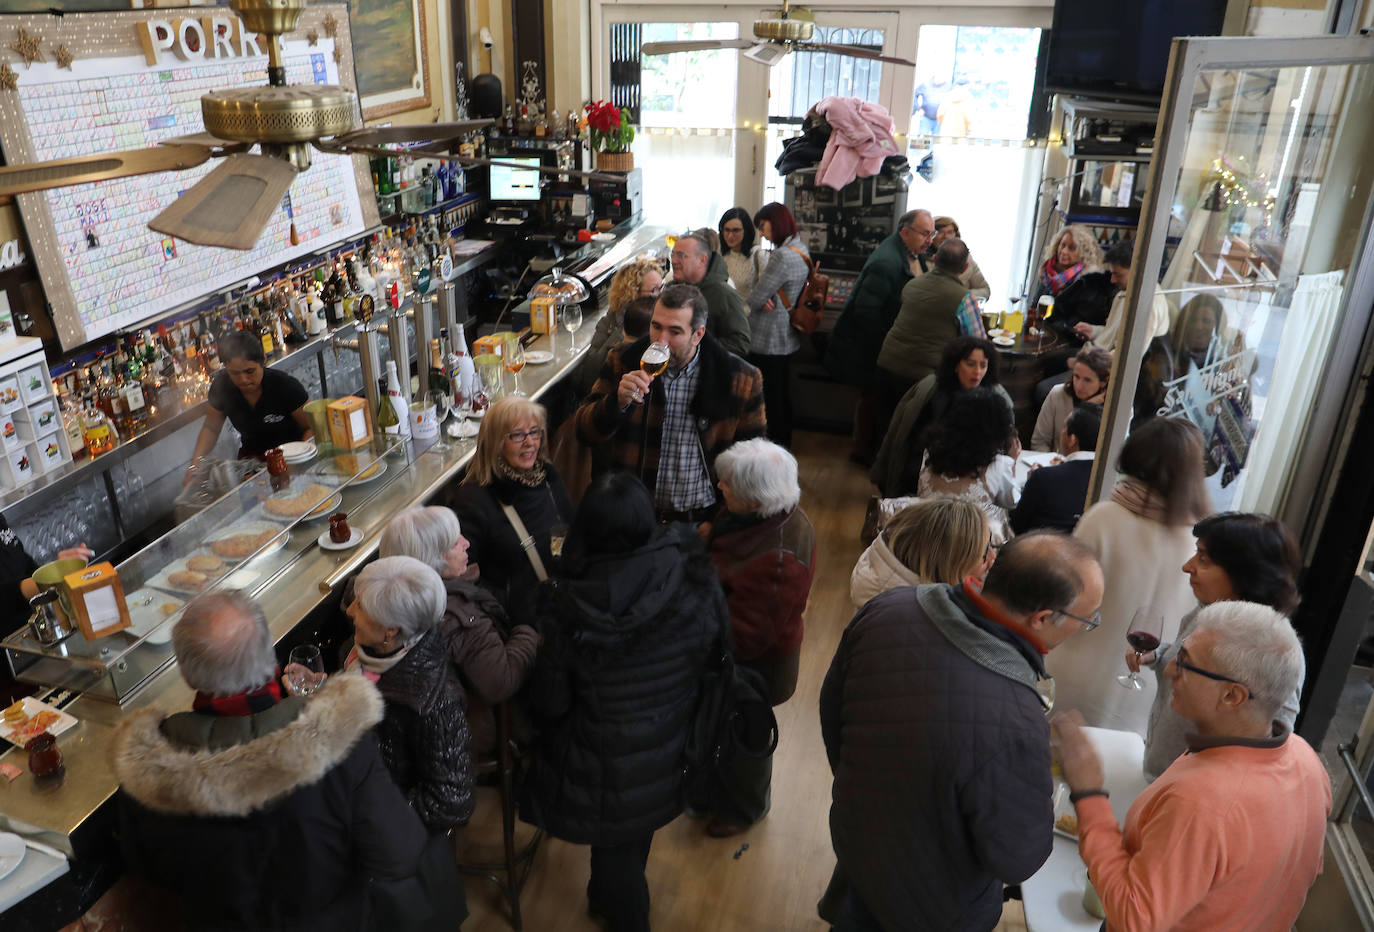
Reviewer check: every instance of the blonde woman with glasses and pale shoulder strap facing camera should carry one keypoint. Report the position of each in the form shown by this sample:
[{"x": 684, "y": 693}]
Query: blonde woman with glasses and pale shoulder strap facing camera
[{"x": 512, "y": 482}]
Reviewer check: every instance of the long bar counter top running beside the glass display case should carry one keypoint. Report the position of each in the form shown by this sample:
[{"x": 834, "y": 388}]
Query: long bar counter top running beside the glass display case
[{"x": 292, "y": 584}]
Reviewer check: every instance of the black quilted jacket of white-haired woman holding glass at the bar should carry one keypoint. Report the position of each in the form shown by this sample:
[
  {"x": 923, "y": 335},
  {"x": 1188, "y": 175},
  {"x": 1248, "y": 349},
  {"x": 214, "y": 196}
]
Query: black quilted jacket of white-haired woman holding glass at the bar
[{"x": 425, "y": 737}]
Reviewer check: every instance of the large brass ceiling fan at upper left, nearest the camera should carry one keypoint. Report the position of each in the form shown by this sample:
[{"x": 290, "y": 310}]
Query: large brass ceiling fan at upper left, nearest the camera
[{"x": 233, "y": 206}]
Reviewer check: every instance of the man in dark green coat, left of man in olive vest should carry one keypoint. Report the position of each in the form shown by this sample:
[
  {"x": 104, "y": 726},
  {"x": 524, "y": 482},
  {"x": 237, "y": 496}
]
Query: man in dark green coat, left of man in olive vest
[{"x": 853, "y": 353}]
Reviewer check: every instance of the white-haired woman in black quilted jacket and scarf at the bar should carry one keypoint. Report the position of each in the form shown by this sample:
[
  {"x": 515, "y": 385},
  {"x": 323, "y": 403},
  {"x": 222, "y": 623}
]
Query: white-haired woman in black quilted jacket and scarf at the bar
[{"x": 398, "y": 644}]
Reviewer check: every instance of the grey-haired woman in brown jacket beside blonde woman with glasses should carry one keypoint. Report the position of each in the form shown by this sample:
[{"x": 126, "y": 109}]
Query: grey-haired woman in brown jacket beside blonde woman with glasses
[{"x": 493, "y": 658}]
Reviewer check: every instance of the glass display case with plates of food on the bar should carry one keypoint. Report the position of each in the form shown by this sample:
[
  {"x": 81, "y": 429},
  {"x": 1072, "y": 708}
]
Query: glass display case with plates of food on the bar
[{"x": 245, "y": 541}]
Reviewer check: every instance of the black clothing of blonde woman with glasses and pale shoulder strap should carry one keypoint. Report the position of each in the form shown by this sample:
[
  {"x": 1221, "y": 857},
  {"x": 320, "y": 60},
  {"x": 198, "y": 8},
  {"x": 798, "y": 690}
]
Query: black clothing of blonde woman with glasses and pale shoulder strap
[{"x": 505, "y": 568}]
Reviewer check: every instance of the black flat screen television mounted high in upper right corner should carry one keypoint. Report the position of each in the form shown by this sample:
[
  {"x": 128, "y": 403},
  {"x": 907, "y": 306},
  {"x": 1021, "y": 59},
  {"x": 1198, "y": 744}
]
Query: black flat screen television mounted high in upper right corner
[{"x": 1122, "y": 50}]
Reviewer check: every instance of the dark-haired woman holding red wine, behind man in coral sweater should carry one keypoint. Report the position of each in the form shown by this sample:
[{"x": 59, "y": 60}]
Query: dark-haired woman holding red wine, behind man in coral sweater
[{"x": 1240, "y": 557}]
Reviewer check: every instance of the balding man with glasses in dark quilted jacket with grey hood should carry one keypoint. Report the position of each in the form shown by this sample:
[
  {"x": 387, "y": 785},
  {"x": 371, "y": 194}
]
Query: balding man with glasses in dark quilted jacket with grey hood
[{"x": 939, "y": 743}]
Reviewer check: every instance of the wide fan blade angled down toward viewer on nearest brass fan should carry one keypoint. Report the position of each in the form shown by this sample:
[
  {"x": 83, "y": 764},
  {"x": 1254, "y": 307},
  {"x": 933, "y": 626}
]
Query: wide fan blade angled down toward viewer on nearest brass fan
[{"x": 232, "y": 206}]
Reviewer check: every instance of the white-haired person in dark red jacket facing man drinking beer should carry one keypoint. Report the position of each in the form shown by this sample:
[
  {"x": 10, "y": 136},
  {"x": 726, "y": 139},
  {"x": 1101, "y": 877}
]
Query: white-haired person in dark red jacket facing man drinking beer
[{"x": 765, "y": 551}]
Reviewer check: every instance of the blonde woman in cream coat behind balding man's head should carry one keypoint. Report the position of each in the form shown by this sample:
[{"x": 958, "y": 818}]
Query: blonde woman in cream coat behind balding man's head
[{"x": 936, "y": 541}]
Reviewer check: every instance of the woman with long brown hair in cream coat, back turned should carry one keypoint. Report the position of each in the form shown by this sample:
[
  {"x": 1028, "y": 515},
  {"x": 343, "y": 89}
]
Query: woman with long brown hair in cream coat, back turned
[{"x": 1141, "y": 538}]
